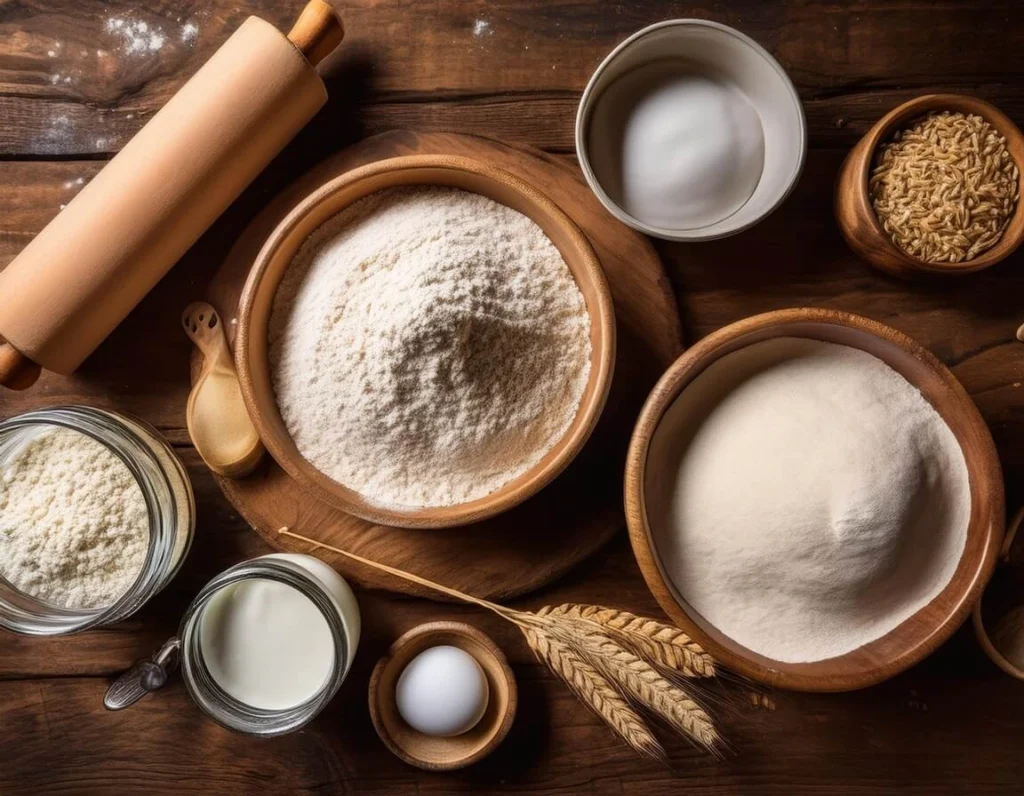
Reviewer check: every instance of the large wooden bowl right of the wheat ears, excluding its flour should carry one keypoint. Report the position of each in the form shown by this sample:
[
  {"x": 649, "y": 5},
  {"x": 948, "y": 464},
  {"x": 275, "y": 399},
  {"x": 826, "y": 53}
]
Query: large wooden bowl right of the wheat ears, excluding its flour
[{"x": 923, "y": 633}]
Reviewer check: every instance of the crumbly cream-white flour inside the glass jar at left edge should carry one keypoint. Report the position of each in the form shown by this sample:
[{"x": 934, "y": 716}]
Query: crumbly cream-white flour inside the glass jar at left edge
[{"x": 74, "y": 524}]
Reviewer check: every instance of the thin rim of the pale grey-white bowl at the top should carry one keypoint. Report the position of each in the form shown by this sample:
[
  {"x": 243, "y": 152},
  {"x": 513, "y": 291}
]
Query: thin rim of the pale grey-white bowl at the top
[{"x": 590, "y": 96}]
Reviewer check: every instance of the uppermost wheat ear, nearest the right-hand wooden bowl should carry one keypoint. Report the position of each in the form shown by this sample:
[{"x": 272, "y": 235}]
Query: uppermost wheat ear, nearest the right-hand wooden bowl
[{"x": 666, "y": 647}]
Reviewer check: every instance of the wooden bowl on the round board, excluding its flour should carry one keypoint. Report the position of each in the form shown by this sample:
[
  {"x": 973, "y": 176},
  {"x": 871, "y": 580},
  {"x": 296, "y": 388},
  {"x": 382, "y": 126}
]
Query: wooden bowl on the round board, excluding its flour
[{"x": 284, "y": 243}]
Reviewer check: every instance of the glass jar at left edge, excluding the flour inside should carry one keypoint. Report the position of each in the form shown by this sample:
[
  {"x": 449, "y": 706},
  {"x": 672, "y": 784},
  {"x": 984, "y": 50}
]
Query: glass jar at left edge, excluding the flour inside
[{"x": 169, "y": 501}]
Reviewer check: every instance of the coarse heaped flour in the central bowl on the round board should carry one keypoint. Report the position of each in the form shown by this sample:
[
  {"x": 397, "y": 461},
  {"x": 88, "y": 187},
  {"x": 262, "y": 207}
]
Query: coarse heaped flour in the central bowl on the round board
[{"x": 428, "y": 347}]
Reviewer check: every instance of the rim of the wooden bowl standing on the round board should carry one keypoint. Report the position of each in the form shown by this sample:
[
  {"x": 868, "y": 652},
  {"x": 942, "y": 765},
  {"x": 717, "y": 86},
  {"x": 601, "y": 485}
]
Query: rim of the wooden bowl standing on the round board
[{"x": 533, "y": 481}]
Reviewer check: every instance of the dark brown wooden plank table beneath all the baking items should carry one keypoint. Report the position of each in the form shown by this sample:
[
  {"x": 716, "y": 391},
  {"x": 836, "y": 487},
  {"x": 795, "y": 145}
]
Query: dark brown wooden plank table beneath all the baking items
[{"x": 74, "y": 88}]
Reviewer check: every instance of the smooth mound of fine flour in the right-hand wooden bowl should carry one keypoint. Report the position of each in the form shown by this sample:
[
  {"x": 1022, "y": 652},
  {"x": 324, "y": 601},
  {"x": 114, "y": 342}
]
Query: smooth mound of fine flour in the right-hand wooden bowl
[{"x": 805, "y": 498}]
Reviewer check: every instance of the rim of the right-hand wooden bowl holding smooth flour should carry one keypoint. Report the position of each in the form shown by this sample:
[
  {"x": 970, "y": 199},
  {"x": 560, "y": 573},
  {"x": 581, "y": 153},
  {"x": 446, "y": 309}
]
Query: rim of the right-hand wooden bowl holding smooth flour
[{"x": 740, "y": 659}]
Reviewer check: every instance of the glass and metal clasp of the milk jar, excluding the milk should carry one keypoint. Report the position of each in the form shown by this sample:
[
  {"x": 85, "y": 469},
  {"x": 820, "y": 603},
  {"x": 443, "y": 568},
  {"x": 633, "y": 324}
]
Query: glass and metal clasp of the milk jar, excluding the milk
[{"x": 313, "y": 579}]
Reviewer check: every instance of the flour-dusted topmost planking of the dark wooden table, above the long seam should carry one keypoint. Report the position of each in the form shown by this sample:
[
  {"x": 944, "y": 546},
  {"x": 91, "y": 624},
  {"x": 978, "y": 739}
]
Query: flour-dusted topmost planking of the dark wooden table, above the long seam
[{"x": 431, "y": 66}]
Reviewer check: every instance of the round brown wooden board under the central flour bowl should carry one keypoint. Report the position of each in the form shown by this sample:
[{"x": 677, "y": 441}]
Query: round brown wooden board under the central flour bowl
[{"x": 539, "y": 541}]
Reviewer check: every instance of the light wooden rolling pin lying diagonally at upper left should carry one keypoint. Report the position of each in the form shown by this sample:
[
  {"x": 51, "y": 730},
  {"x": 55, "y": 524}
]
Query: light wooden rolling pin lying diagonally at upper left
[{"x": 79, "y": 278}]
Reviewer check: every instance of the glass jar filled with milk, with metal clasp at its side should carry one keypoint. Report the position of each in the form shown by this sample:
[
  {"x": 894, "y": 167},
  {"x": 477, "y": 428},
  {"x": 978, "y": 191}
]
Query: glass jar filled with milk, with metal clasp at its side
[{"x": 264, "y": 648}]
